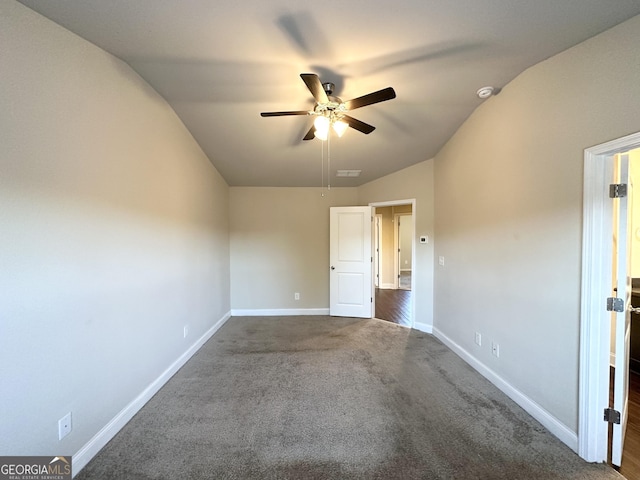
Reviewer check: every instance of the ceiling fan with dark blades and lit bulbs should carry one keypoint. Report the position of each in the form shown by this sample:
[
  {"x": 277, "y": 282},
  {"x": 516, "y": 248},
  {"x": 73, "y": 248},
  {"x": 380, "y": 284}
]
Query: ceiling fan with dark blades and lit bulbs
[{"x": 331, "y": 111}]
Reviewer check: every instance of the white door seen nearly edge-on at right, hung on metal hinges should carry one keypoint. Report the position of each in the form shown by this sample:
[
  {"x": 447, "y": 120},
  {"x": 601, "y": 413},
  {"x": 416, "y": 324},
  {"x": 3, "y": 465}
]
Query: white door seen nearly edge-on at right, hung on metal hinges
[{"x": 622, "y": 319}]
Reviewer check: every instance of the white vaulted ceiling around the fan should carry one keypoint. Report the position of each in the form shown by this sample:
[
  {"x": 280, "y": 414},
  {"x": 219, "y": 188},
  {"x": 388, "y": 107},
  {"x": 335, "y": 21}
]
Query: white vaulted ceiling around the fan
[{"x": 220, "y": 63}]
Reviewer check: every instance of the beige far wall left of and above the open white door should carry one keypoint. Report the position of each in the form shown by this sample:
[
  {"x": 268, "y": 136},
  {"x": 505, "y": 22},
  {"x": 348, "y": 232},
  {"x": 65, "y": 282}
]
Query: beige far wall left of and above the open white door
[{"x": 280, "y": 245}]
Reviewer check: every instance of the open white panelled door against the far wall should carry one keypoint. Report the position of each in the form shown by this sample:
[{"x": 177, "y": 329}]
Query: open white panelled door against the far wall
[{"x": 351, "y": 285}]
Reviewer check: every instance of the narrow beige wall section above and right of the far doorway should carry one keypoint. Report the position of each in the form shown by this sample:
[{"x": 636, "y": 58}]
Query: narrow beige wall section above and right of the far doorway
[{"x": 415, "y": 182}]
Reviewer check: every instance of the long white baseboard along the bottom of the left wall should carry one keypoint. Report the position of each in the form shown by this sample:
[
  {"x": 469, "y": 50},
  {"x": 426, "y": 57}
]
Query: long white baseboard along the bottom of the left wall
[{"x": 100, "y": 439}]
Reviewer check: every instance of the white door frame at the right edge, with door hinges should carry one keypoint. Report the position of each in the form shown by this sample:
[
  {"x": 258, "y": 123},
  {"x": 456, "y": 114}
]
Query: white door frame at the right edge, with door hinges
[{"x": 595, "y": 326}]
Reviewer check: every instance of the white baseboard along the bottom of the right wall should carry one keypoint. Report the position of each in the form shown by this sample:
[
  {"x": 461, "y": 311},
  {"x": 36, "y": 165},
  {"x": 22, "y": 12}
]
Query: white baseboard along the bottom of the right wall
[{"x": 556, "y": 427}]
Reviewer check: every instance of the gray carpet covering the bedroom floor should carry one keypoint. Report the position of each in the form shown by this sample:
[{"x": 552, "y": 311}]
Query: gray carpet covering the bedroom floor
[{"x": 332, "y": 398}]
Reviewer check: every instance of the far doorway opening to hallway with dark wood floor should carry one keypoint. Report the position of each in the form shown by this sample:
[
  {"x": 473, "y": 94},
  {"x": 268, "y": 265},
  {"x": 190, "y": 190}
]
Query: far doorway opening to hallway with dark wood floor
[{"x": 394, "y": 299}]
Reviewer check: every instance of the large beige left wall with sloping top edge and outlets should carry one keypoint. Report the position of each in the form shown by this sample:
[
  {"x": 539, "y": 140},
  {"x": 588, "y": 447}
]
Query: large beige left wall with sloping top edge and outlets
[{"x": 114, "y": 236}]
